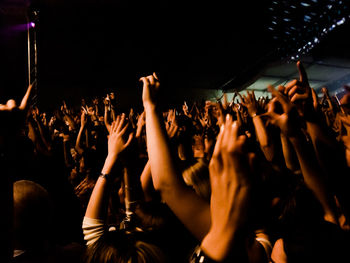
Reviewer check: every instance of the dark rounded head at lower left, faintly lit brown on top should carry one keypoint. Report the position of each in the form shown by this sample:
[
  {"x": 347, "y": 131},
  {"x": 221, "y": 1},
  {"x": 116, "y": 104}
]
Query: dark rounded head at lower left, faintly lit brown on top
[{"x": 32, "y": 214}]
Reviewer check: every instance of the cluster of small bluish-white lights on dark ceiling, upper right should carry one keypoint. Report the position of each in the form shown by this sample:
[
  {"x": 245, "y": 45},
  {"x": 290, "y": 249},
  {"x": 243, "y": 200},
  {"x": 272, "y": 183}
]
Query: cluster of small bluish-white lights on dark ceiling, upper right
[{"x": 299, "y": 25}]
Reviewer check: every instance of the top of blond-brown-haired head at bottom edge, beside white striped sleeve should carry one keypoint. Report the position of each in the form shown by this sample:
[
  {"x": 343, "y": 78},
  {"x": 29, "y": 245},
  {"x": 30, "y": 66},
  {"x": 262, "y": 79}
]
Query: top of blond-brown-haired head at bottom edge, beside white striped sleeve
[{"x": 121, "y": 246}]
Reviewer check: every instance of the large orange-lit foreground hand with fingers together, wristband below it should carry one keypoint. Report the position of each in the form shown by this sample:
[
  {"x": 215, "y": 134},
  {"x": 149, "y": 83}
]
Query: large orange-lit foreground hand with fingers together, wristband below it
[{"x": 231, "y": 187}]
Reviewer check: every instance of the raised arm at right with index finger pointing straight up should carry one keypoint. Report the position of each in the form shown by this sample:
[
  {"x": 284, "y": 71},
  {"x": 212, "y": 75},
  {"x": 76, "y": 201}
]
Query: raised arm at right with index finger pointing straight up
[{"x": 329, "y": 152}]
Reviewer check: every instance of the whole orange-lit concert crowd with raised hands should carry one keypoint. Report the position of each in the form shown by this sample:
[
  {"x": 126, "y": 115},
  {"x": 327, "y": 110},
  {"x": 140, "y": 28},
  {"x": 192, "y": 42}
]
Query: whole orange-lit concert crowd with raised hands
[{"x": 246, "y": 180}]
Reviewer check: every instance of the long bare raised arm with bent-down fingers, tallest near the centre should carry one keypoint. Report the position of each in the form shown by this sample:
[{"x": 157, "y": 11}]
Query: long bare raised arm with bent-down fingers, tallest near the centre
[{"x": 184, "y": 202}]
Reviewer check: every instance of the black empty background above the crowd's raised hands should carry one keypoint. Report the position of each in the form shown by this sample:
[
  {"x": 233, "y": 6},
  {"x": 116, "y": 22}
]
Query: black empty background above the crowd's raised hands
[{"x": 89, "y": 48}]
